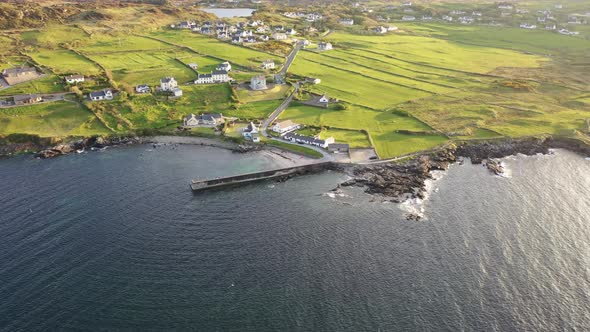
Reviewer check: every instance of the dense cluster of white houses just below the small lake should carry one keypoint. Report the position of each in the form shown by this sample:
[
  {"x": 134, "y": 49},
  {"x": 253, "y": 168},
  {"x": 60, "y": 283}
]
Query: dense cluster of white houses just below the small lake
[{"x": 243, "y": 32}]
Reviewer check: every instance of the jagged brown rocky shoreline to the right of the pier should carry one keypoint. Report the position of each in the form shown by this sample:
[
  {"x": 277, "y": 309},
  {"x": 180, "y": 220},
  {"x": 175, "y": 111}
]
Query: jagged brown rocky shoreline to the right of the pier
[{"x": 397, "y": 182}]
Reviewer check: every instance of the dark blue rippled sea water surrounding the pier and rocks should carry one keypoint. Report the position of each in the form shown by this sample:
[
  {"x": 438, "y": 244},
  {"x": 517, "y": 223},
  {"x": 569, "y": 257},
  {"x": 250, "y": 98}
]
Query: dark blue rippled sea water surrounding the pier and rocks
[{"x": 115, "y": 240}]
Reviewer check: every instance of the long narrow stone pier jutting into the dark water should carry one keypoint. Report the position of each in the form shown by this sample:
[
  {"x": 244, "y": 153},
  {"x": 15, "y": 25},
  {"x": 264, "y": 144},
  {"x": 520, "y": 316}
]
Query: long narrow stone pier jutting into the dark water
[{"x": 199, "y": 185}]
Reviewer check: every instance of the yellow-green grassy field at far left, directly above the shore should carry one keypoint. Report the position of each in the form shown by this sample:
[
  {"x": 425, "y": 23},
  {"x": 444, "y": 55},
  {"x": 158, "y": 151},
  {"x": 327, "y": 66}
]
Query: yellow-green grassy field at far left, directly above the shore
[{"x": 50, "y": 120}]
